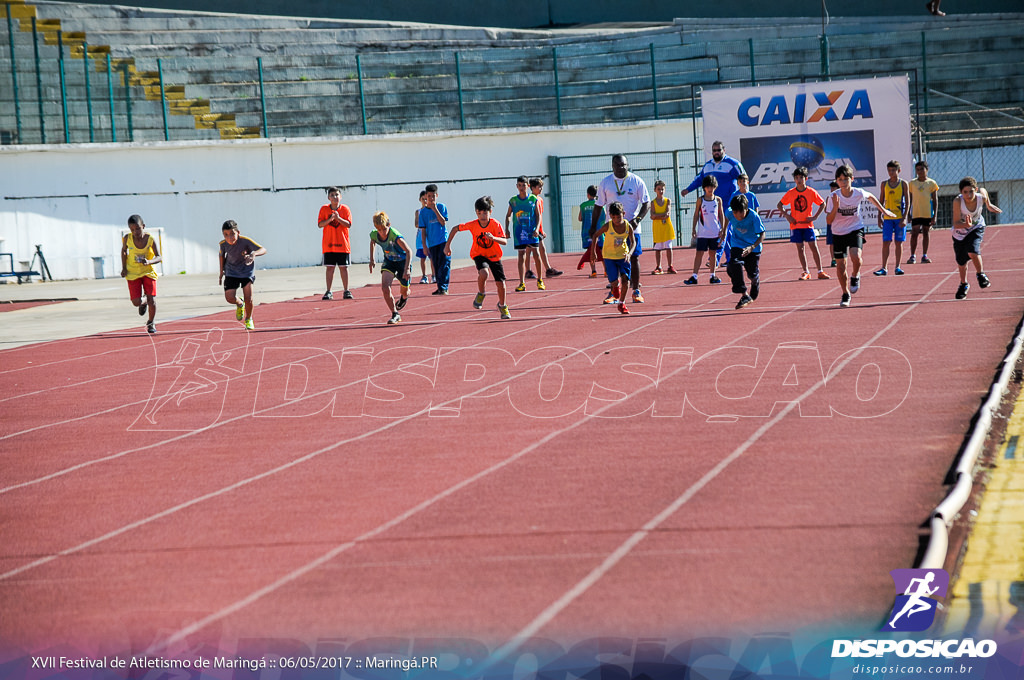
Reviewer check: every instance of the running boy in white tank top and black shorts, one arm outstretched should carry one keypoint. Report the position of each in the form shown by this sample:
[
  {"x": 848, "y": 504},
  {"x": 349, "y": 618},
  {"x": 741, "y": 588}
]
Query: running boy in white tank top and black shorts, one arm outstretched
[{"x": 848, "y": 231}]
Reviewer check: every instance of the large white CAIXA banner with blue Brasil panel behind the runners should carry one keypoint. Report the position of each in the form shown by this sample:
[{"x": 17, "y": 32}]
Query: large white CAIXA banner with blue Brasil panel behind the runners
[{"x": 773, "y": 131}]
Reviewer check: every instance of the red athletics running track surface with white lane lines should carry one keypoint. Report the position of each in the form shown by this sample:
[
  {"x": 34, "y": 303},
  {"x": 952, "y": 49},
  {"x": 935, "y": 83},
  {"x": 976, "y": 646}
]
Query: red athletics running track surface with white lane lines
[{"x": 206, "y": 486}]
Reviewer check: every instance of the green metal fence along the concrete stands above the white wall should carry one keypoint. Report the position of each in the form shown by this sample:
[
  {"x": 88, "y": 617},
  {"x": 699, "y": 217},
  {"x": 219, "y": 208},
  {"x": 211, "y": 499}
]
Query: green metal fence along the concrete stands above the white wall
[{"x": 54, "y": 98}]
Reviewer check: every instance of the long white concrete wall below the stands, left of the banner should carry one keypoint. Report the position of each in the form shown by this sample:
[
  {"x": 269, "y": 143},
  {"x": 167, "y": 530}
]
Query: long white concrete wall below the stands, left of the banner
[{"x": 76, "y": 199}]
